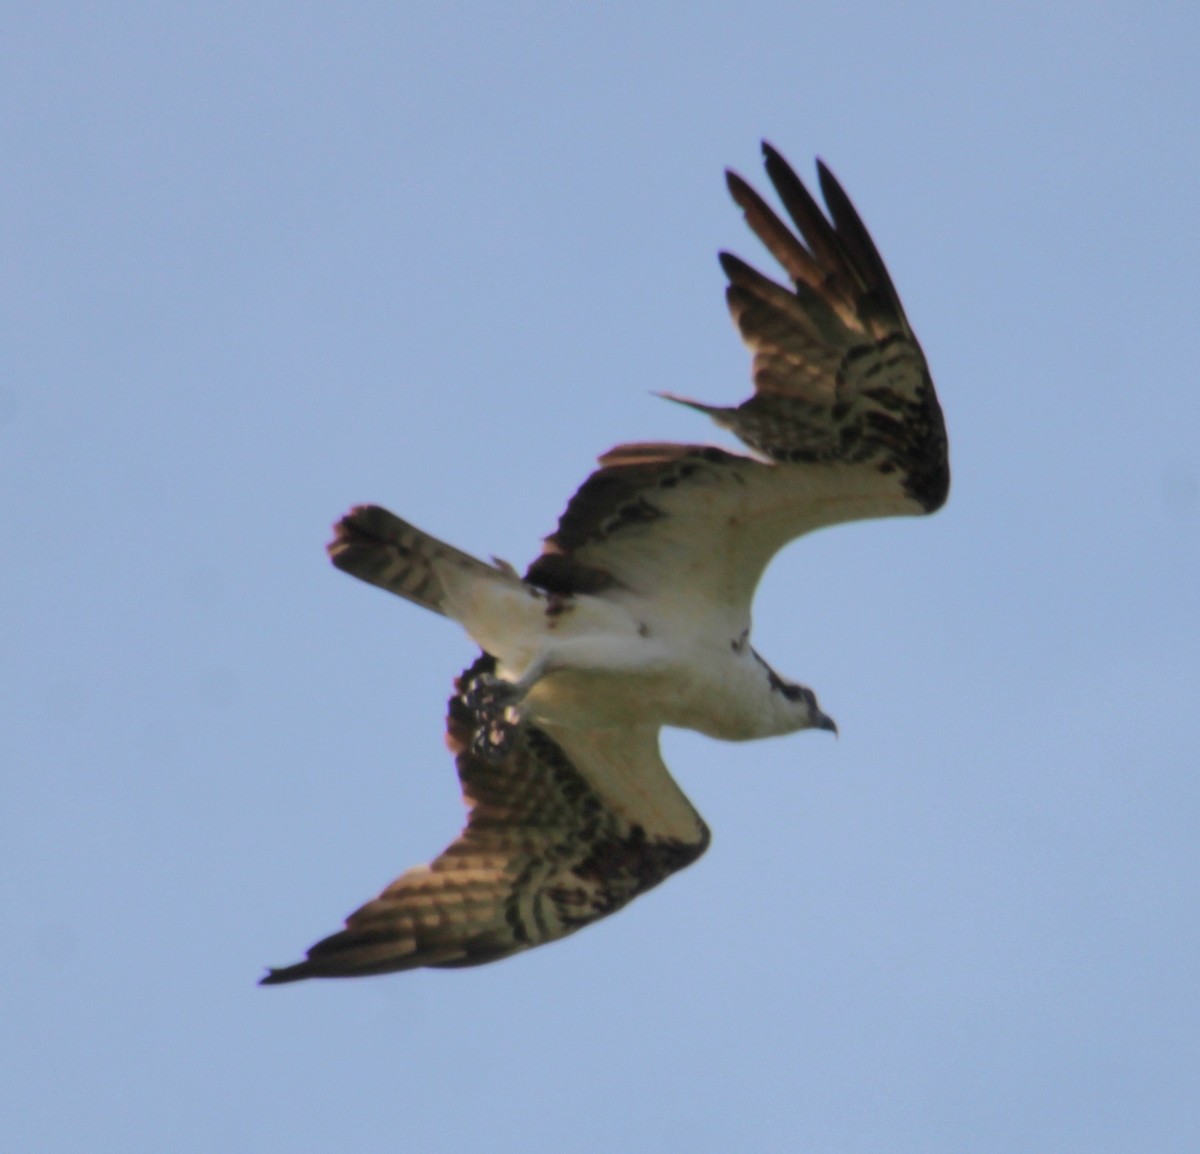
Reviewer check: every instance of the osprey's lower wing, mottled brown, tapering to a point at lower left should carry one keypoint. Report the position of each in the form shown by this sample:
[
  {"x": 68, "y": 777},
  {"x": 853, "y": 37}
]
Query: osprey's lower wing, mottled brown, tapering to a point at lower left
[{"x": 566, "y": 831}]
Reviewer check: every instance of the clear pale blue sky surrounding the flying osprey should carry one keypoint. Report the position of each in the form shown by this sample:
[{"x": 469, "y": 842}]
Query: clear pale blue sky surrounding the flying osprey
[{"x": 262, "y": 262}]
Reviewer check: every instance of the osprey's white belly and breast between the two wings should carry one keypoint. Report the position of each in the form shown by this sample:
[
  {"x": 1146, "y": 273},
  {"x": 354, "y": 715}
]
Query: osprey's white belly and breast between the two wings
[{"x": 598, "y": 662}]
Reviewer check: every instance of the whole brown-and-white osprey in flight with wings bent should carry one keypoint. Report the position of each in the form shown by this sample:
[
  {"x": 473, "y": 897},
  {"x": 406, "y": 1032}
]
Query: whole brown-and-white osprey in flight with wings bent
[{"x": 637, "y": 615}]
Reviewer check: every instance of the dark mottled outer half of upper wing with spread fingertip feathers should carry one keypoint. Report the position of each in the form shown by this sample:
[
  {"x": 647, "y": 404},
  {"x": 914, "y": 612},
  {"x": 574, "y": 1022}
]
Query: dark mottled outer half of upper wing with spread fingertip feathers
[{"x": 839, "y": 376}]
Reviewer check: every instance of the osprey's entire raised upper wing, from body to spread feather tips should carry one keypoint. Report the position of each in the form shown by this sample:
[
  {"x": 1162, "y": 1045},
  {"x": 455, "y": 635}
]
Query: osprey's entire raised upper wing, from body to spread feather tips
[{"x": 844, "y": 411}]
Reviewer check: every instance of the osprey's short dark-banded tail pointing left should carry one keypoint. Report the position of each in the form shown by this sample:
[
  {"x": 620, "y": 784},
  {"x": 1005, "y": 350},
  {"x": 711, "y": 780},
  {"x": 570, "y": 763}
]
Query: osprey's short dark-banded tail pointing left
[{"x": 380, "y": 549}]
